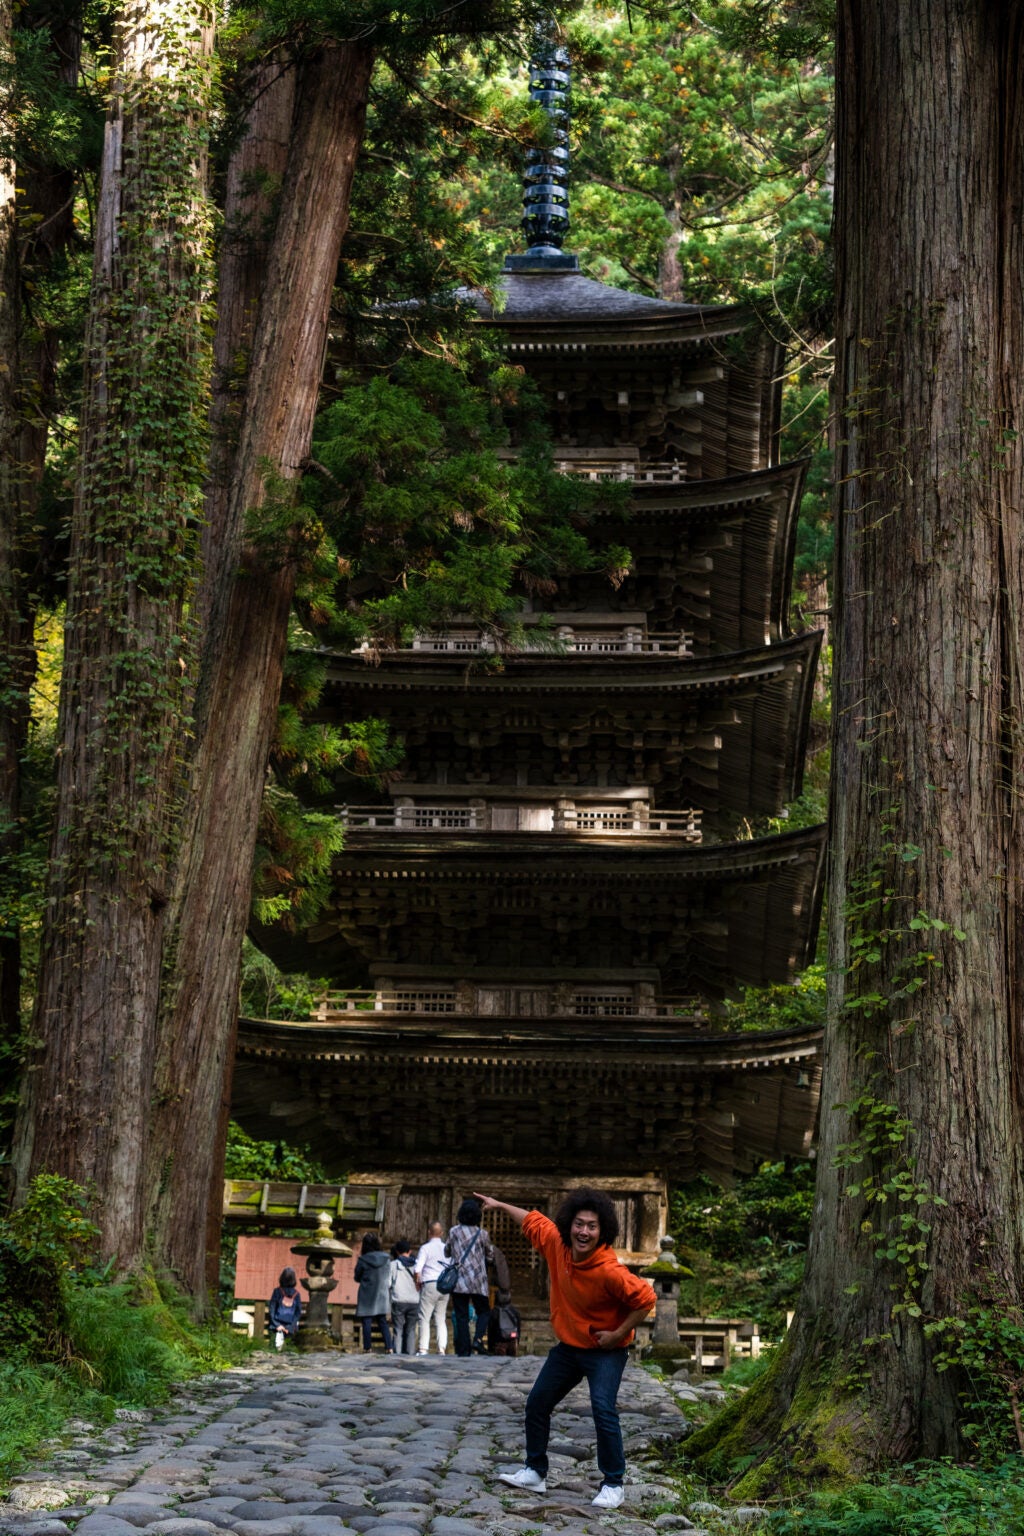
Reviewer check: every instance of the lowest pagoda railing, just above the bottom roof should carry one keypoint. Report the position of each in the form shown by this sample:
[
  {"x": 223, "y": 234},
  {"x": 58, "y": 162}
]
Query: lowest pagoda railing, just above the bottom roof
[{"x": 589, "y": 1004}]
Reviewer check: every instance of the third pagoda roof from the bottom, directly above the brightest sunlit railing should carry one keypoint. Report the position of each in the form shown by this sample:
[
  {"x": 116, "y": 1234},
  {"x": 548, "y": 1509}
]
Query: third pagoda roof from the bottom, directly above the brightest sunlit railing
[{"x": 724, "y": 733}]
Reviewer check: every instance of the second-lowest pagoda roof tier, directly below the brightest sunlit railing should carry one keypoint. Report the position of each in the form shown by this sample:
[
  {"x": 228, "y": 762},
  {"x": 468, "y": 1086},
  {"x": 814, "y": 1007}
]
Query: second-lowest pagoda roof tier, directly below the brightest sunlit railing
[{"x": 709, "y": 919}]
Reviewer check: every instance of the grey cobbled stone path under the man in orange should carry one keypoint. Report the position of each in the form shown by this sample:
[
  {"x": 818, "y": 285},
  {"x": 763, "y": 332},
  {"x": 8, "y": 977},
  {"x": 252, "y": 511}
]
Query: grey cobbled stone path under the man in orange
[{"x": 322, "y": 1445}]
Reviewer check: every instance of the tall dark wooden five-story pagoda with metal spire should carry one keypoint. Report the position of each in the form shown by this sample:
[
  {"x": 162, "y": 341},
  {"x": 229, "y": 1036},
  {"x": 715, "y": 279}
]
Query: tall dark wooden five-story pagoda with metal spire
[{"x": 532, "y": 935}]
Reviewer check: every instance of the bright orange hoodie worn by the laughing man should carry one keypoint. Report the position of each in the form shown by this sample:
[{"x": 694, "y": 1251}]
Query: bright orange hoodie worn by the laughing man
[{"x": 592, "y": 1297}]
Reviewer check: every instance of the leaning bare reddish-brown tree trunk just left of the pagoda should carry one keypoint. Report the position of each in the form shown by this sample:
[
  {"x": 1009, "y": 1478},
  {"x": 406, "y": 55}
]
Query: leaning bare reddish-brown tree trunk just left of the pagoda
[{"x": 253, "y": 551}]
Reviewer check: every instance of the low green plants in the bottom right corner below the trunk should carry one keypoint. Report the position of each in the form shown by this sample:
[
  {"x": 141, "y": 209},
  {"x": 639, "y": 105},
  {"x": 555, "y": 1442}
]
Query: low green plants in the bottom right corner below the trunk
[{"x": 928, "y": 1500}]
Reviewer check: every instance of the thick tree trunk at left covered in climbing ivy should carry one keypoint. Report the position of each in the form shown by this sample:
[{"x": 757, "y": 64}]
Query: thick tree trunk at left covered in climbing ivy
[{"x": 87, "y": 1102}]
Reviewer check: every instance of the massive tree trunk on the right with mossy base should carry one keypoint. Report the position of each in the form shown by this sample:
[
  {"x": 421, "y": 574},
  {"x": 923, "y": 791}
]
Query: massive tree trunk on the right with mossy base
[{"x": 925, "y": 1042}]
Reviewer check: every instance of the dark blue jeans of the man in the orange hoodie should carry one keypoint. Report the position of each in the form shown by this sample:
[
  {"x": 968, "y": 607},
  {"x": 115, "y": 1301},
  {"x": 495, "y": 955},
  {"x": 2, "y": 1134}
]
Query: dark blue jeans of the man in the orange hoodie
[{"x": 563, "y": 1371}]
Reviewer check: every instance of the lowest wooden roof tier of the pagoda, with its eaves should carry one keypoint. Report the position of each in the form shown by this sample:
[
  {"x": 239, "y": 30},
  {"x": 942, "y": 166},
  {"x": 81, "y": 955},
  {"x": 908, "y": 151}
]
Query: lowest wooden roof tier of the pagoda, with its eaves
[{"x": 500, "y": 1093}]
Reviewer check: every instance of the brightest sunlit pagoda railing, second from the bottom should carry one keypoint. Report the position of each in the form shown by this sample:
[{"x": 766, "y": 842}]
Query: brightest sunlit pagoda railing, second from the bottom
[{"x": 584, "y": 821}]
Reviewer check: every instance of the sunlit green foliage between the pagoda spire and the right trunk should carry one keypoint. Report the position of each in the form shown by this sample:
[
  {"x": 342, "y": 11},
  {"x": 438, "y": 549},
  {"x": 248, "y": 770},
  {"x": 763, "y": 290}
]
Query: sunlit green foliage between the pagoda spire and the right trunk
[{"x": 730, "y": 147}]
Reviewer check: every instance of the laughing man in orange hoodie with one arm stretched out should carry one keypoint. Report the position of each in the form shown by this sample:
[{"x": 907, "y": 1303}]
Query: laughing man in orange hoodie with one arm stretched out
[{"x": 596, "y": 1305}]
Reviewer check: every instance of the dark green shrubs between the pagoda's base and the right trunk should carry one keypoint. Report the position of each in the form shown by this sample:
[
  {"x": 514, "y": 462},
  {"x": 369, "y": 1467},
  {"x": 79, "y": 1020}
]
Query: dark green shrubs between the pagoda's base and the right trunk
[{"x": 745, "y": 1246}]
